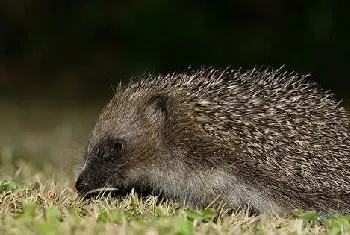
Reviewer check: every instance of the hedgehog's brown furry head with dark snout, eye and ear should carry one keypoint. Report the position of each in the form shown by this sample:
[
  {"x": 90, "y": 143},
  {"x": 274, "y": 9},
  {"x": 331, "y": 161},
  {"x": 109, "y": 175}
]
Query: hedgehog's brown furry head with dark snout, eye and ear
[{"x": 126, "y": 142}]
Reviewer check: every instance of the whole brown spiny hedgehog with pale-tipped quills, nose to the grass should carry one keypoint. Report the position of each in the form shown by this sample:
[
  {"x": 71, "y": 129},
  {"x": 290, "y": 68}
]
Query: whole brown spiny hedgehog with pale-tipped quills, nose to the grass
[{"x": 264, "y": 139}]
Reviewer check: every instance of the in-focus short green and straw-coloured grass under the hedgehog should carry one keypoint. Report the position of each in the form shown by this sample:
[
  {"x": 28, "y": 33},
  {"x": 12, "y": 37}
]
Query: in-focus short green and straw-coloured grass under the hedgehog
[{"x": 34, "y": 201}]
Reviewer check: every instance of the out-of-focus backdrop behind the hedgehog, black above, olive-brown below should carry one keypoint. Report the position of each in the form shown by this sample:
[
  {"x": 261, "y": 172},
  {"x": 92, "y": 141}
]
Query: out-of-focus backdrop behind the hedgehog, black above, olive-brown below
[{"x": 58, "y": 57}]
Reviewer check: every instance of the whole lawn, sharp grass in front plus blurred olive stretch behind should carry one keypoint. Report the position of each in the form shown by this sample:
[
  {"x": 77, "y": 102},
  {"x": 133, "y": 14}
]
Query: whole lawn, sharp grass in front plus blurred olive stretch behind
[{"x": 41, "y": 148}]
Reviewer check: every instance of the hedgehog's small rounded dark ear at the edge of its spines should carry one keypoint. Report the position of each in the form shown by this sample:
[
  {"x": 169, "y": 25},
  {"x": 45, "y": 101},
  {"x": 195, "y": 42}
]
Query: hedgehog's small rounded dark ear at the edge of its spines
[{"x": 158, "y": 108}]
